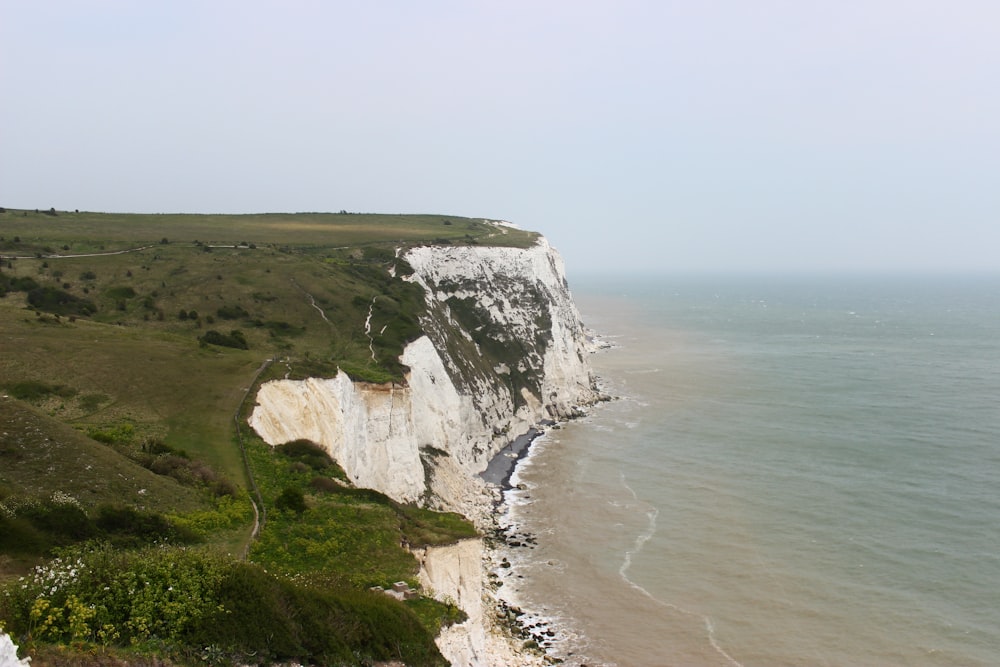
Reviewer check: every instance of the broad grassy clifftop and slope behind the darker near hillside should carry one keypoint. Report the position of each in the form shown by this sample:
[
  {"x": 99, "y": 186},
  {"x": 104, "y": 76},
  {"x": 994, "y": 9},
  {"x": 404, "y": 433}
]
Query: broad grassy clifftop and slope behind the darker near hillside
[{"x": 167, "y": 332}]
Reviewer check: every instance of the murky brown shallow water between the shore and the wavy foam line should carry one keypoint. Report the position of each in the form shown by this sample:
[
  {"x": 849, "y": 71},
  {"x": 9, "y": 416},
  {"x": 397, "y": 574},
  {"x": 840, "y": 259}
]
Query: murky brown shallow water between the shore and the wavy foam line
[{"x": 579, "y": 592}]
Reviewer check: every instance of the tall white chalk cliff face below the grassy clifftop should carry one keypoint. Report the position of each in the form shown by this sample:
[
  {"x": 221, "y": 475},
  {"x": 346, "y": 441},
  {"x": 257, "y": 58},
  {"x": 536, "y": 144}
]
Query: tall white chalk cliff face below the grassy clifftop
[{"x": 503, "y": 350}]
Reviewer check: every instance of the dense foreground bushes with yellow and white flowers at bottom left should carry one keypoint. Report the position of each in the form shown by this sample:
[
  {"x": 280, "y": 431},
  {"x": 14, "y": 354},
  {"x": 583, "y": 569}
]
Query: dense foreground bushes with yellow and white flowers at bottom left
[{"x": 187, "y": 600}]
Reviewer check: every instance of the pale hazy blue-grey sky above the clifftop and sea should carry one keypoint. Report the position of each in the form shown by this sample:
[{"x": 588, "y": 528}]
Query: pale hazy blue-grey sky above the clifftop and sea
[{"x": 695, "y": 134}]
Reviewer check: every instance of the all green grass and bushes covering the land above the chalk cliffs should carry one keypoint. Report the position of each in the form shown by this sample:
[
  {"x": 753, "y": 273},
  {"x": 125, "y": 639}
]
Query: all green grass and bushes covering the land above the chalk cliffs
[{"x": 131, "y": 345}]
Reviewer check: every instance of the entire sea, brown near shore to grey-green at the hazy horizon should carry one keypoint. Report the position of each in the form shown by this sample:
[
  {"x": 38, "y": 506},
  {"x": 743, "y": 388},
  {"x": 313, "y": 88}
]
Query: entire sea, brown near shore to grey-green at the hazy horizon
[{"x": 798, "y": 471}]
